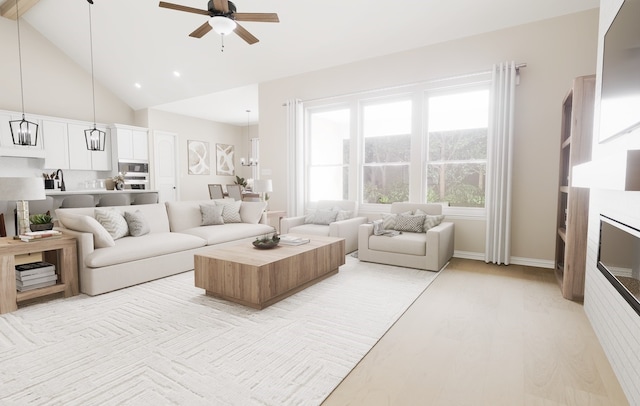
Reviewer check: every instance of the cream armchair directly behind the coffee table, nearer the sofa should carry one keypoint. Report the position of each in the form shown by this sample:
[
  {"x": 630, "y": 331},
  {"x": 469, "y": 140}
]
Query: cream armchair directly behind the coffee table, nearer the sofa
[{"x": 333, "y": 218}]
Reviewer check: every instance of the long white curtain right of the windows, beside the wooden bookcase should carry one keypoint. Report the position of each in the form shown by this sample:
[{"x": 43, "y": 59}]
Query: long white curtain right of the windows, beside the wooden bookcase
[{"x": 500, "y": 163}]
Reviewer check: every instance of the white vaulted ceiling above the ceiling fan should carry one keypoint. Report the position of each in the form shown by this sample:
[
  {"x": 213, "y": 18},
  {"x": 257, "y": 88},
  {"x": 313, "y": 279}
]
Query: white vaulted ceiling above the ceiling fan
[{"x": 136, "y": 41}]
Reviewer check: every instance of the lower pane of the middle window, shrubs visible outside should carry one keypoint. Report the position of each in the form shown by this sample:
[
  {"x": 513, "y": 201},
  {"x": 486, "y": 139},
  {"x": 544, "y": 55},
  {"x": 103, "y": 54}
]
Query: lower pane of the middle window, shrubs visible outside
[{"x": 386, "y": 184}]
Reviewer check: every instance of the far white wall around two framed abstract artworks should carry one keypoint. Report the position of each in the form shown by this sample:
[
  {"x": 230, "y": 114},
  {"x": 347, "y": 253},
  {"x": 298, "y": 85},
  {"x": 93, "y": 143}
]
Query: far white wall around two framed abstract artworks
[{"x": 188, "y": 128}]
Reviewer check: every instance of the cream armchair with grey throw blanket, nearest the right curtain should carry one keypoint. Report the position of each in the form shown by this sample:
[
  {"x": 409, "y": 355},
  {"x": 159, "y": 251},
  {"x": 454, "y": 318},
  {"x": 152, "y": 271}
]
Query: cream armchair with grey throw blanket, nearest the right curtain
[{"x": 411, "y": 235}]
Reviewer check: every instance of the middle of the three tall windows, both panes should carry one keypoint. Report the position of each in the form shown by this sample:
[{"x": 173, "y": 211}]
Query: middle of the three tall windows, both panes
[{"x": 386, "y": 129}]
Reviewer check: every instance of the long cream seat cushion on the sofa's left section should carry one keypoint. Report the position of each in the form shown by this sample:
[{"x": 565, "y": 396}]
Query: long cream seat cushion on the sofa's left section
[{"x": 128, "y": 249}]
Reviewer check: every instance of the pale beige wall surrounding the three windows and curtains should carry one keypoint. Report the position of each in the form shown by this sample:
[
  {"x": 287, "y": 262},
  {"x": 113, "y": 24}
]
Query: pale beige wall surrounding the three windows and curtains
[{"x": 555, "y": 50}]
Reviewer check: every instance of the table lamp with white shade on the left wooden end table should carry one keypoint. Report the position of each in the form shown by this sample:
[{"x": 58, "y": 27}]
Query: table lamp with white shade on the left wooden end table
[{"x": 21, "y": 190}]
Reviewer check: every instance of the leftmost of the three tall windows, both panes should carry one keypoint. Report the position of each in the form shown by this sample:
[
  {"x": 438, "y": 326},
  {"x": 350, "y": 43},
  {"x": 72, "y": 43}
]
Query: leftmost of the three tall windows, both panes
[{"x": 328, "y": 152}]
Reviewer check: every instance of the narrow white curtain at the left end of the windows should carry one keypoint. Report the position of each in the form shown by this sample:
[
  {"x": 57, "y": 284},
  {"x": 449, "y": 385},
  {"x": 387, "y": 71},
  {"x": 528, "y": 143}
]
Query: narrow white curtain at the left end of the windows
[{"x": 295, "y": 172}]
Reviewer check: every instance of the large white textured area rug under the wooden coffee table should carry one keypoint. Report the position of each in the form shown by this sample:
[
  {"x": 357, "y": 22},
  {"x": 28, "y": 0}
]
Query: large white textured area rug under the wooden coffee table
[{"x": 166, "y": 343}]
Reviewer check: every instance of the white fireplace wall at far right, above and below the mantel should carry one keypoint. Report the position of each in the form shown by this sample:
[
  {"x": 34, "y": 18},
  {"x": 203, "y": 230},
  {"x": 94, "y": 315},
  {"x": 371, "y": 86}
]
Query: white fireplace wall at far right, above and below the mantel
[{"x": 614, "y": 321}]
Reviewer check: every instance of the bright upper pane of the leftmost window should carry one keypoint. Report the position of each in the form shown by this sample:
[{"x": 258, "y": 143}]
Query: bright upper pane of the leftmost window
[{"x": 329, "y": 140}]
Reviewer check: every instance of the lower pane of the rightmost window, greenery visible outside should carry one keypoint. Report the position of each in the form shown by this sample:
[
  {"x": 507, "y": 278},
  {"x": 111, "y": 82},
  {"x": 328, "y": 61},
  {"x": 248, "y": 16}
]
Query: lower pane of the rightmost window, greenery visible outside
[{"x": 459, "y": 184}]
